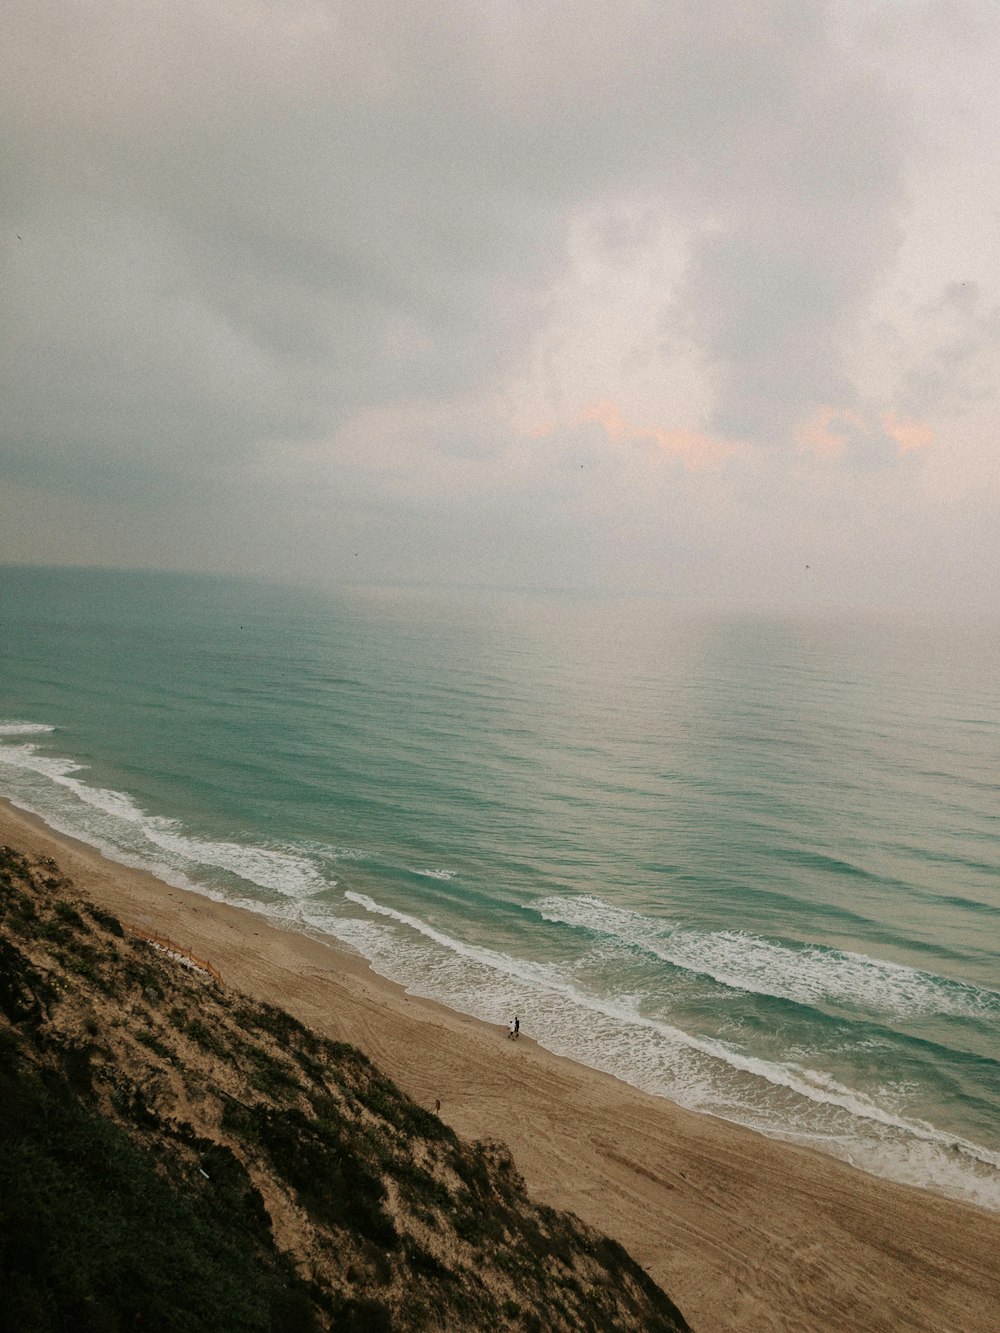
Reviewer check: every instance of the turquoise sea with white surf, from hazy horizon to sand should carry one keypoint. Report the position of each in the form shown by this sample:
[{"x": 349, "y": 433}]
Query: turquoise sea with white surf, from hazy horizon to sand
[{"x": 747, "y": 863}]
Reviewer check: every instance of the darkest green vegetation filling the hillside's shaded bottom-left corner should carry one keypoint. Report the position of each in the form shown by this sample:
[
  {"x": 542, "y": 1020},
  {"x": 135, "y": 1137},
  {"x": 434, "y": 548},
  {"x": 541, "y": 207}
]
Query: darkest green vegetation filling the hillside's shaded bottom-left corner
[{"x": 93, "y": 1238}]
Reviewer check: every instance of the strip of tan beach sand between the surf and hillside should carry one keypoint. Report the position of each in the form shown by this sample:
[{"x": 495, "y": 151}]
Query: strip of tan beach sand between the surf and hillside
[{"x": 742, "y": 1232}]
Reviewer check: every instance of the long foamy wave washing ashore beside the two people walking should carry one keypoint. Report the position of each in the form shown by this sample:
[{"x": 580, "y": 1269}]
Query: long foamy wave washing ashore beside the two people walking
[{"x": 790, "y": 1100}]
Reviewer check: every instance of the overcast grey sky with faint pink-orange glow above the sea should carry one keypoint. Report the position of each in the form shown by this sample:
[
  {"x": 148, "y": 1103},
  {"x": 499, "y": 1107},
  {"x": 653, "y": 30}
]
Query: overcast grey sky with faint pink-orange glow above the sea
[{"x": 699, "y": 299}]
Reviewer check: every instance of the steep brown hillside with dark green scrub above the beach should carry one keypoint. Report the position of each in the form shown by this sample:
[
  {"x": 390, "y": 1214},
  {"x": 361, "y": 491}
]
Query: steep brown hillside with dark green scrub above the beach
[{"x": 178, "y": 1156}]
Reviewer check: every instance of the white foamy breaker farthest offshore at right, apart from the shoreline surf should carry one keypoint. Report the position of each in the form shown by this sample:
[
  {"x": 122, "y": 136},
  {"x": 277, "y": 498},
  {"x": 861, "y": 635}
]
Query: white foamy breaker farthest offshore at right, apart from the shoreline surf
[{"x": 813, "y": 975}]
